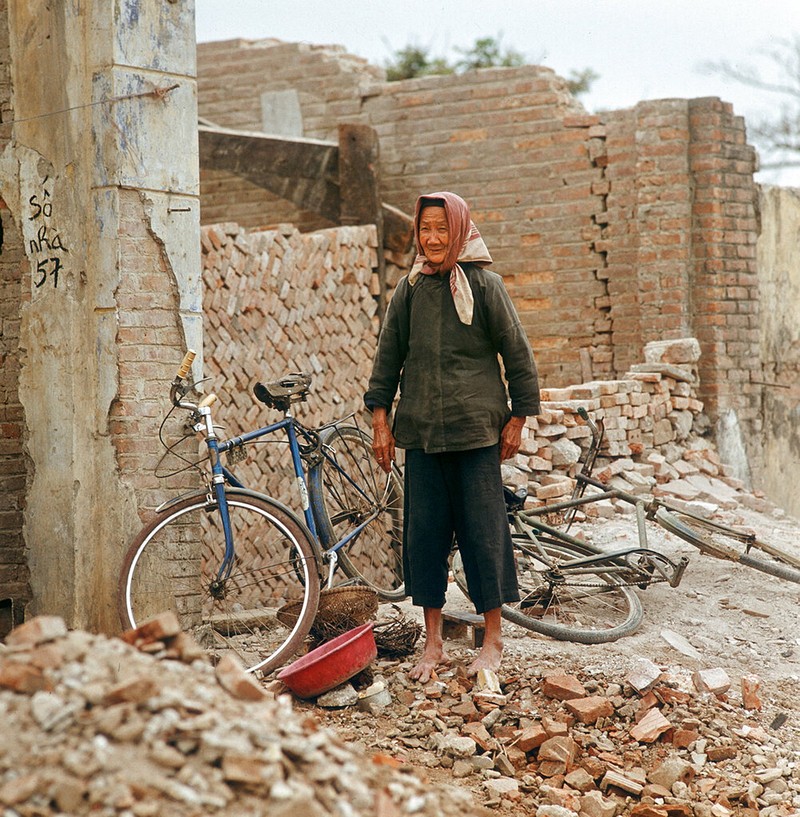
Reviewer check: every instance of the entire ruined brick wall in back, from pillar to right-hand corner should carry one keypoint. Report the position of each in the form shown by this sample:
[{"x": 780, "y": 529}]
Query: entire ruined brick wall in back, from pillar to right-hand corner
[{"x": 597, "y": 223}]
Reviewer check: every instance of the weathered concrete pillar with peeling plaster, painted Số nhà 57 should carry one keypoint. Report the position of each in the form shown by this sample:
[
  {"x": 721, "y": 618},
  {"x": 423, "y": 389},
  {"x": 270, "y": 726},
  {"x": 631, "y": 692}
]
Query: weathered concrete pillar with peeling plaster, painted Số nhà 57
[{"x": 99, "y": 171}]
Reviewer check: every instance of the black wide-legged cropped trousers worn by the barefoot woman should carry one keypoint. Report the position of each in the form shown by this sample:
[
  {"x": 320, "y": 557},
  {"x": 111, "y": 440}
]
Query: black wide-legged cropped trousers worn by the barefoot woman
[{"x": 457, "y": 493}]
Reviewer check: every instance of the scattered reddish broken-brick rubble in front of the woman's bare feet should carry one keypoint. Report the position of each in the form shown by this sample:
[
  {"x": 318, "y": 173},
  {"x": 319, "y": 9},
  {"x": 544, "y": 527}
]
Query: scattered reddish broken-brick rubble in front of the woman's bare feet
[{"x": 651, "y": 742}]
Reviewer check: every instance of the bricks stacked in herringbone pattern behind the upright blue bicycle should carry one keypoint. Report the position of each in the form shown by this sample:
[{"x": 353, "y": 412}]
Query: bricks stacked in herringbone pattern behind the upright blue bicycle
[{"x": 281, "y": 301}]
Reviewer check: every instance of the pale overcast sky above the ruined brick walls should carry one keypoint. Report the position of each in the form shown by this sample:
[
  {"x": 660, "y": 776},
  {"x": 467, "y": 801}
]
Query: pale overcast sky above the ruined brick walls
[{"x": 642, "y": 49}]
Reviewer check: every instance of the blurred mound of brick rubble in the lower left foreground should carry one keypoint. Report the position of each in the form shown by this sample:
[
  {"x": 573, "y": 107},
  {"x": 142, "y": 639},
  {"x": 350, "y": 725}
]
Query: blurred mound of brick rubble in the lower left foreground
[{"x": 93, "y": 725}]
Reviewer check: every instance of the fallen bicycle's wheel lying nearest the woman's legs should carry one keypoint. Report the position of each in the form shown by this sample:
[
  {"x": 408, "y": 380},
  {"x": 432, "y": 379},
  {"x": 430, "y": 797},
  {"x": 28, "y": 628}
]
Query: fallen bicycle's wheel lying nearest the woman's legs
[{"x": 589, "y": 607}]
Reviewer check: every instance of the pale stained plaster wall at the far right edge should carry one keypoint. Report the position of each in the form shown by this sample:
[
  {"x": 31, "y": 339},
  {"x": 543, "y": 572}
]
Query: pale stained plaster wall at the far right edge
[{"x": 779, "y": 288}]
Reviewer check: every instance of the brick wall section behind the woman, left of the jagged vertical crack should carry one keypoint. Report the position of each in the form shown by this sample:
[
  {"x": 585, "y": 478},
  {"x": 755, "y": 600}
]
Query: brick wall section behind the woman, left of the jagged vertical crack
[{"x": 516, "y": 146}]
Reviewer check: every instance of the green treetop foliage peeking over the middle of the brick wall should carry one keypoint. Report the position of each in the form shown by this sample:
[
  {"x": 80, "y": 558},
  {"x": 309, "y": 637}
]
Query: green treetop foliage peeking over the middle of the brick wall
[{"x": 487, "y": 52}]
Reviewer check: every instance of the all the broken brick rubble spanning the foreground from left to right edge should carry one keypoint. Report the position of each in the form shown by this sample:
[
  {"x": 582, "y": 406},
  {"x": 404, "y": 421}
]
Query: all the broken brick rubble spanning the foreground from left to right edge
[{"x": 102, "y": 727}]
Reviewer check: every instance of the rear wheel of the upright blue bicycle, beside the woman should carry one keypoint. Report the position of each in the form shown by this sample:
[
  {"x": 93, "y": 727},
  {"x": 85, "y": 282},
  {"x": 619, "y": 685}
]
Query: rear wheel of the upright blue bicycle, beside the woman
[{"x": 352, "y": 496}]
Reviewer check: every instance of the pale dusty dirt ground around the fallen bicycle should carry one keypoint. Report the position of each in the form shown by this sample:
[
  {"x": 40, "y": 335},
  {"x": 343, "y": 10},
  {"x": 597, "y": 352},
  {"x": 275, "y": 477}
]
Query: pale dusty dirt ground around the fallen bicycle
[{"x": 736, "y": 618}]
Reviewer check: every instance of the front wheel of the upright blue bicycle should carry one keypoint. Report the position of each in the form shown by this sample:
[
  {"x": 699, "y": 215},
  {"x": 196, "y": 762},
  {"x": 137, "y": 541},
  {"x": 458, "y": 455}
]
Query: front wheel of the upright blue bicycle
[{"x": 260, "y": 607}]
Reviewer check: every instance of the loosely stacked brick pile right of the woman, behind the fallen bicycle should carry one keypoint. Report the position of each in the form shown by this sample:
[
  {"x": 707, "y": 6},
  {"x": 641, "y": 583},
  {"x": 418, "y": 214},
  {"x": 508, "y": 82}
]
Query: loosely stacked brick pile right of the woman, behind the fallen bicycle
[{"x": 652, "y": 420}]
